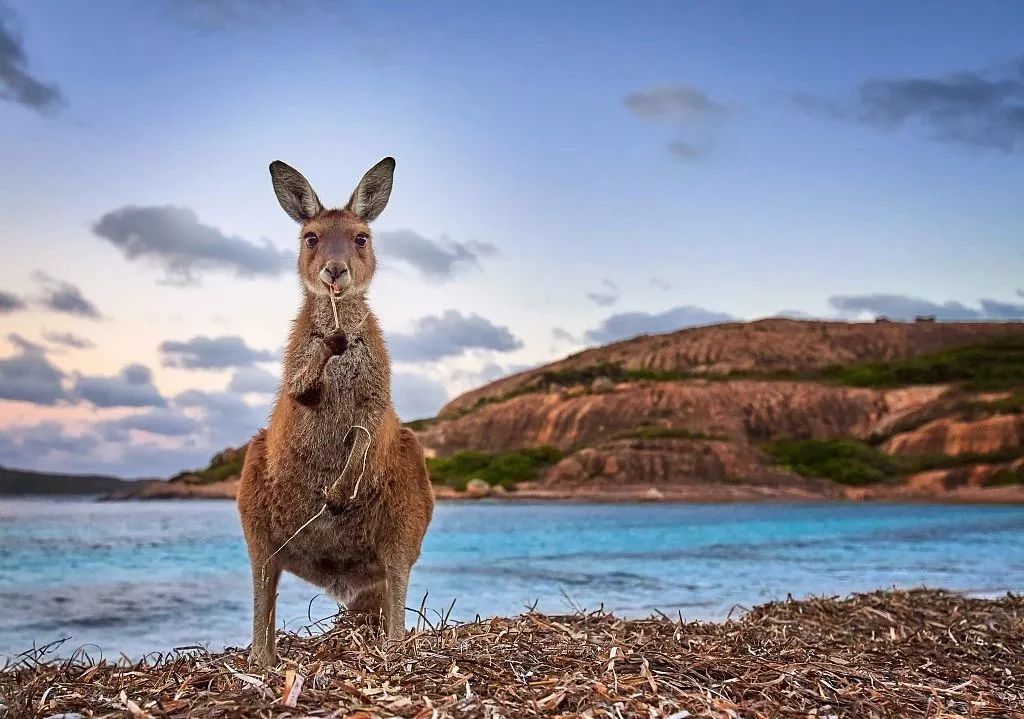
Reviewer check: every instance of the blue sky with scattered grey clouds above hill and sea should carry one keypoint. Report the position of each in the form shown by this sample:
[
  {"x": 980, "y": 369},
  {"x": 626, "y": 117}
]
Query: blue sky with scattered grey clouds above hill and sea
[{"x": 569, "y": 175}]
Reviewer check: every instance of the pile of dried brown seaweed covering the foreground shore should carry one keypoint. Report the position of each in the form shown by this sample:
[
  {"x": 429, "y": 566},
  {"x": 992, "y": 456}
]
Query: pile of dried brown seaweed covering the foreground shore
[{"x": 927, "y": 654}]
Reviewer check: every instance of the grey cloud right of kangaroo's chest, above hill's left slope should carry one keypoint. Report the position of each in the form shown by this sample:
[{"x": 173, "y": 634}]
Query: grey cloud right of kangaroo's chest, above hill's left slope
[{"x": 451, "y": 334}]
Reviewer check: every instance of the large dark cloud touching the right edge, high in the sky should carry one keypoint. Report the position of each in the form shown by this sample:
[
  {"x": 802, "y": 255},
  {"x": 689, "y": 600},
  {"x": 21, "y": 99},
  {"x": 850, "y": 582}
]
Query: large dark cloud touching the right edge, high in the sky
[{"x": 979, "y": 109}]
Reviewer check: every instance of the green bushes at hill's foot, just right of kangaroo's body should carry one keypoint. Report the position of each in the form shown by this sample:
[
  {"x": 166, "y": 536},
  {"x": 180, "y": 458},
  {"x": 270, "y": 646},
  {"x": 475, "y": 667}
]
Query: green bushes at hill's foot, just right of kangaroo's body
[{"x": 498, "y": 470}]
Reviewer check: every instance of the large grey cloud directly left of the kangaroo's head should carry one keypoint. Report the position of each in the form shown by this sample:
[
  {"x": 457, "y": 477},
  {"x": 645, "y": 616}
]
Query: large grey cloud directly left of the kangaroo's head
[{"x": 174, "y": 240}]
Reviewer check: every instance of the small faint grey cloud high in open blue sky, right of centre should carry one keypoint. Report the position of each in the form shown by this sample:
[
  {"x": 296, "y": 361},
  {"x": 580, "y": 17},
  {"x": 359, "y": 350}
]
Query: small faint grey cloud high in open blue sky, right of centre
[{"x": 690, "y": 110}]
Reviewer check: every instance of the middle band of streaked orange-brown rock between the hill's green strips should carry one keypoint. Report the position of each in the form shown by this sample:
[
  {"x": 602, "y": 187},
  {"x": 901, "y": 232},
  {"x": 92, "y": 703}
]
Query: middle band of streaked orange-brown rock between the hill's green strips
[{"x": 739, "y": 411}]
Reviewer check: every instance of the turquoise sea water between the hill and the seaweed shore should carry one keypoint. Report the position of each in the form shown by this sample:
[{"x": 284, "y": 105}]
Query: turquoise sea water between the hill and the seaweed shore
[{"x": 139, "y": 577}]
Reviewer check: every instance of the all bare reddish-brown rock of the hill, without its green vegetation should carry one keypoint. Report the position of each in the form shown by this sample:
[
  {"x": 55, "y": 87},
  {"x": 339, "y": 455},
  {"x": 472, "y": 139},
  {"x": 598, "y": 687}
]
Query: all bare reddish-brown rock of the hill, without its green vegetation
[{"x": 708, "y": 431}]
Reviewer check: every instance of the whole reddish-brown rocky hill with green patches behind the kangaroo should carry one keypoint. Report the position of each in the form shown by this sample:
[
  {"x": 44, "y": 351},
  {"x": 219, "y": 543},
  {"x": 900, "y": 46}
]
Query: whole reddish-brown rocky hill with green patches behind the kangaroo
[{"x": 770, "y": 410}]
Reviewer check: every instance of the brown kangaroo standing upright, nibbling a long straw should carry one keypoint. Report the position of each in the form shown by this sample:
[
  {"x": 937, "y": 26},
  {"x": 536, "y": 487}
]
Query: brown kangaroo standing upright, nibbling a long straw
[{"x": 334, "y": 490}]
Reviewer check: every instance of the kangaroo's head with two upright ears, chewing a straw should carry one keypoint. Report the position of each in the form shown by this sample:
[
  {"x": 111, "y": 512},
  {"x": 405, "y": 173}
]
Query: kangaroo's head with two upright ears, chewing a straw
[{"x": 336, "y": 252}]
